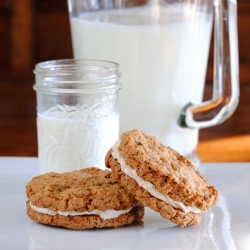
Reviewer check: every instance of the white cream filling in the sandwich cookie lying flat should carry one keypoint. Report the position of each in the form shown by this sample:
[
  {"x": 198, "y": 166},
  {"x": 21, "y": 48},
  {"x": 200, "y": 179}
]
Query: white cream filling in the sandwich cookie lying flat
[{"x": 108, "y": 214}]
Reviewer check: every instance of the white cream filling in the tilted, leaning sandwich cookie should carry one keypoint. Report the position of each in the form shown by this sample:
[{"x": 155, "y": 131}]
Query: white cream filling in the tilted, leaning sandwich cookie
[{"x": 148, "y": 185}]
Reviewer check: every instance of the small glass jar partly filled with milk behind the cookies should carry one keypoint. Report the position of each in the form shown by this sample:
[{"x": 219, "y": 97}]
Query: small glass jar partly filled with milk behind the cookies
[{"x": 77, "y": 114}]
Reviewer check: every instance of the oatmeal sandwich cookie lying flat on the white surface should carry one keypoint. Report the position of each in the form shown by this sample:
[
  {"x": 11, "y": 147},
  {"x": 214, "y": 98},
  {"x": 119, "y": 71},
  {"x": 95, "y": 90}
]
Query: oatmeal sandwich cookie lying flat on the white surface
[{"x": 81, "y": 199}]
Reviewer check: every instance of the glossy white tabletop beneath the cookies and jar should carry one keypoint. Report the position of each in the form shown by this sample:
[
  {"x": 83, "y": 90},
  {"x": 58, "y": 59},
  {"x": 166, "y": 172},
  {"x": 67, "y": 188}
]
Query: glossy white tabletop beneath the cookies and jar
[{"x": 225, "y": 226}]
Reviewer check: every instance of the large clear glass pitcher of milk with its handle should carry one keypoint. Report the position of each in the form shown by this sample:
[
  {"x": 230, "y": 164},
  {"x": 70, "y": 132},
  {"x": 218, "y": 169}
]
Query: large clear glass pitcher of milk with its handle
[{"x": 162, "y": 48}]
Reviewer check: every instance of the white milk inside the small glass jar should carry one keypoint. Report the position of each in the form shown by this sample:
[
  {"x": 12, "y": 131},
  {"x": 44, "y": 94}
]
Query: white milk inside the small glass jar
[{"x": 74, "y": 140}]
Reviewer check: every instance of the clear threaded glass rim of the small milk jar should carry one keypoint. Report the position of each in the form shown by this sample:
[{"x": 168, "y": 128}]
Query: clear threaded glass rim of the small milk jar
[{"x": 77, "y": 75}]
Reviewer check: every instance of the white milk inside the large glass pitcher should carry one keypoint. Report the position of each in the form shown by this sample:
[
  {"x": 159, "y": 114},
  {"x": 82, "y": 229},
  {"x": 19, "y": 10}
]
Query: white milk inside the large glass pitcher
[{"x": 163, "y": 66}]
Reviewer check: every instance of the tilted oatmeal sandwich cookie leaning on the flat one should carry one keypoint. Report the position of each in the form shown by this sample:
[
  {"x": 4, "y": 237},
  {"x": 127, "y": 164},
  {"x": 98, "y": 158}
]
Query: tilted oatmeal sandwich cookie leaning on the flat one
[{"x": 160, "y": 178}]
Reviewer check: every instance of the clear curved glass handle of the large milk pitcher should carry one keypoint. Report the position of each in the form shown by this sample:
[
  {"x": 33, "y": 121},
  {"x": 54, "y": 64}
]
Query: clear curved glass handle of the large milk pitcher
[{"x": 226, "y": 72}]
